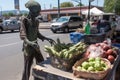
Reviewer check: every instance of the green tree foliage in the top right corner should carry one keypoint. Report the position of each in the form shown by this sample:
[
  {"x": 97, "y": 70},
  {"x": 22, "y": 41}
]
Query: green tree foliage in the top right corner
[{"x": 112, "y": 6}]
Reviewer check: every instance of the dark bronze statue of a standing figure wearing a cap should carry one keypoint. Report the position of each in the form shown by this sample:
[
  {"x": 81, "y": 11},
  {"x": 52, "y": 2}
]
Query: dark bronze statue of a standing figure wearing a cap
[{"x": 29, "y": 33}]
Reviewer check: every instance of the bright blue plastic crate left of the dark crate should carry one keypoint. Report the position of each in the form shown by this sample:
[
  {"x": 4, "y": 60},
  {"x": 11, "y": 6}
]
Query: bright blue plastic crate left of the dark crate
[{"x": 76, "y": 37}]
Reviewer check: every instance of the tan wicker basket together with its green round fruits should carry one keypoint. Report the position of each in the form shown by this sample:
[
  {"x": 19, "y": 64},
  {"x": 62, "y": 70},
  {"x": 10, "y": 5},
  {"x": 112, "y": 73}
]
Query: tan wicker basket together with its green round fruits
[{"x": 91, "y": 68}]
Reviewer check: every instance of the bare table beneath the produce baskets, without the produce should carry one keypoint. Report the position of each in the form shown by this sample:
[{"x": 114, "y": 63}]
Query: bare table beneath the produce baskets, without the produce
[{"x": 45, "y": 71}]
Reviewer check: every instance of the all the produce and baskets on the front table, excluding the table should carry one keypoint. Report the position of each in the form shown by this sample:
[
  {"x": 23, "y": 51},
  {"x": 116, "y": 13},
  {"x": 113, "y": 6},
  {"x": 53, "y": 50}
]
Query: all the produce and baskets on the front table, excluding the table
[{"x": 95, "y": 64}]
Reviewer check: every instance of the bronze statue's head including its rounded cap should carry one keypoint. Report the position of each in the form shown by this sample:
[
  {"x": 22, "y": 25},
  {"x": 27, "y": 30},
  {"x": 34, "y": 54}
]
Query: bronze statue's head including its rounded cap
[{"x": 34, "y": 7}]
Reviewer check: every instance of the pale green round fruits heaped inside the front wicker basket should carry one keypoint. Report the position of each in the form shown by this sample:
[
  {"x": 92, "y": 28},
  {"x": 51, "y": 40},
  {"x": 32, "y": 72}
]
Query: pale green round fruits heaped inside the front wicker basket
[{"x": 93, "y": 64}]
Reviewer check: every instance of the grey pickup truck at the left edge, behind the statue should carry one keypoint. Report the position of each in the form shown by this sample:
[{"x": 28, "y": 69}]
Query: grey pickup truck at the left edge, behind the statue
[{"x": 9, "y": 25}]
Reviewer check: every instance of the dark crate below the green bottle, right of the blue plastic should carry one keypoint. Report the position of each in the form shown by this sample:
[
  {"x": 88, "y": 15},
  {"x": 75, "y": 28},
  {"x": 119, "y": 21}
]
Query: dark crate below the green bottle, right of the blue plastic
[{"x": 94, "y": 38}]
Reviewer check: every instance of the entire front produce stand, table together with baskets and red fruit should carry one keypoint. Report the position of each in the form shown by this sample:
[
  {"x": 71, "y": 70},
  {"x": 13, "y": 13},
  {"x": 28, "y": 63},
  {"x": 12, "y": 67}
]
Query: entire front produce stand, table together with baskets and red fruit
[{"x": 78, "y": 62}]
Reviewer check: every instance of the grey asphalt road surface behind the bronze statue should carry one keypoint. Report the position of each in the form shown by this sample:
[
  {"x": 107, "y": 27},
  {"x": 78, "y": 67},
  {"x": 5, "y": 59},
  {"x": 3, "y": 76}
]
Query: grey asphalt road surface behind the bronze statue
[{"x": 11, "y": 58}]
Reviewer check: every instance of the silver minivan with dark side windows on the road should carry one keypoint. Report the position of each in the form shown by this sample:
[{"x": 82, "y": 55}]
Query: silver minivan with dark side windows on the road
[{"x": 65, "y": 23}]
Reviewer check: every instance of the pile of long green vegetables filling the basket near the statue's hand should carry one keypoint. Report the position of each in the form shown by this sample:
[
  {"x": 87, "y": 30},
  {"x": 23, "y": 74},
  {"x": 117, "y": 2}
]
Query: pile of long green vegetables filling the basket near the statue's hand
[{"x": 66, "y": 51}]
